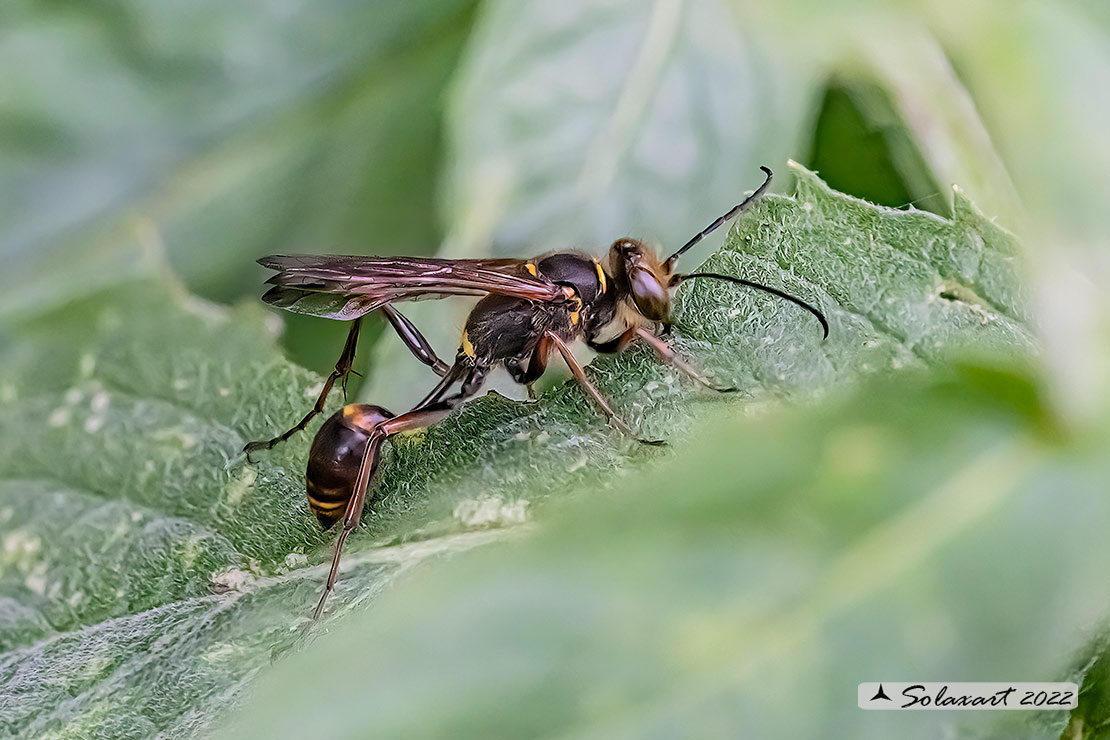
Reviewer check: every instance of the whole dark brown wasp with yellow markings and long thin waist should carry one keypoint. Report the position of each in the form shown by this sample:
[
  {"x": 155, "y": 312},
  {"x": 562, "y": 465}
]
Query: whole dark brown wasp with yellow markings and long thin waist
[{"x": 529, "y": 310}]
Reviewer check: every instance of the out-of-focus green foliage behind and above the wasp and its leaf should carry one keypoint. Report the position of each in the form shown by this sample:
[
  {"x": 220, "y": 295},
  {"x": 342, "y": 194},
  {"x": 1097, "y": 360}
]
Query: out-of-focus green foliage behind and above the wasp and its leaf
[{"x": 381, "y": 127}]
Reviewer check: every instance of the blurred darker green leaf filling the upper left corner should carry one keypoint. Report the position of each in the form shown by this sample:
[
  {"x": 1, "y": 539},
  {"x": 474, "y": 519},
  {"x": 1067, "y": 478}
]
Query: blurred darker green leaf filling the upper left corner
[{"x": 231, "y": 130}]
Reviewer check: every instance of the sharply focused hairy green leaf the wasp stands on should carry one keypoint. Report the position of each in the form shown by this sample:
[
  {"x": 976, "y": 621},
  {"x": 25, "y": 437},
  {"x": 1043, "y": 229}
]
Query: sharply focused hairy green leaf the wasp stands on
[{"x": 152, "y": 573}]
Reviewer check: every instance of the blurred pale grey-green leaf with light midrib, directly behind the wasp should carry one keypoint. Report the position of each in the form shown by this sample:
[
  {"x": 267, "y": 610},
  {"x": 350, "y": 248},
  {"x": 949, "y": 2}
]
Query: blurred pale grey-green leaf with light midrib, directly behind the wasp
[{"x": 576, "y": 124}]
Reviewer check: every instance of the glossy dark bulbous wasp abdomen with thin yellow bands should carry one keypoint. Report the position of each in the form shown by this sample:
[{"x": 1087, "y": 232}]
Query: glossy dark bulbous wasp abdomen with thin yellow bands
[{"x": 336, "y": 457}]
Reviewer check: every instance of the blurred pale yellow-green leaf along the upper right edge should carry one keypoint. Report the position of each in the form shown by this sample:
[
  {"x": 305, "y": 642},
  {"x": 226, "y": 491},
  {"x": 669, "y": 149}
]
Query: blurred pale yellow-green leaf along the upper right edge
[{"x": 1032, "y": 69}]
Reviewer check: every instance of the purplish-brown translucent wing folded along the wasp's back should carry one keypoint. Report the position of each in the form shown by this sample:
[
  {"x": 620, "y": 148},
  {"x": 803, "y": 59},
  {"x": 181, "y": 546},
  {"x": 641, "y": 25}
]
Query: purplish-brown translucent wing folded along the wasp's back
[{"x": 346, "y": 288}]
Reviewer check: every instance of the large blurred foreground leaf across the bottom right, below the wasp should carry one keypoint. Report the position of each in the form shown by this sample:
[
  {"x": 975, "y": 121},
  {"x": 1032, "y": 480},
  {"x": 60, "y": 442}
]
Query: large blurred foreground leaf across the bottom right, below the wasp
[{"x": 911, "y": 531}]
